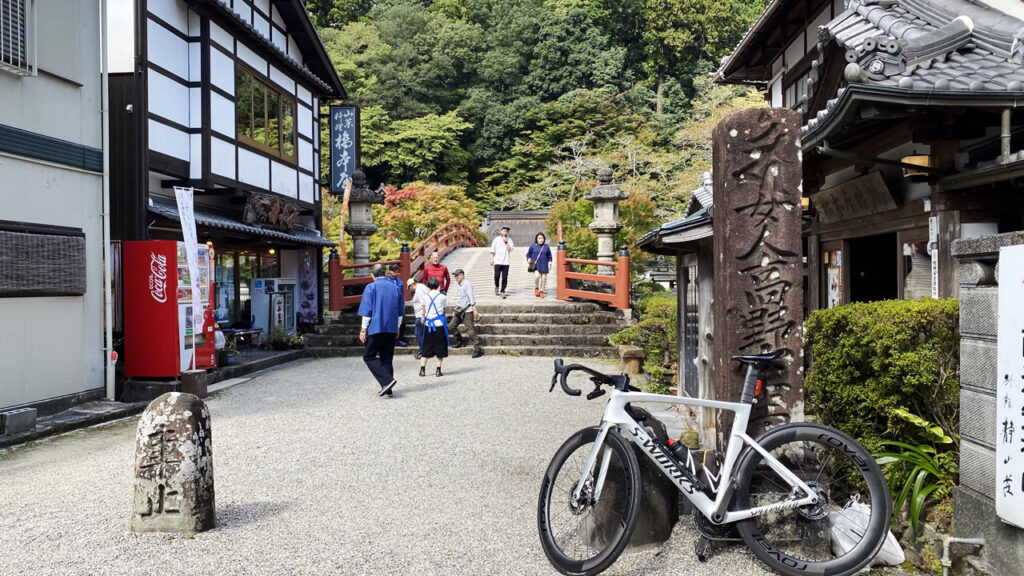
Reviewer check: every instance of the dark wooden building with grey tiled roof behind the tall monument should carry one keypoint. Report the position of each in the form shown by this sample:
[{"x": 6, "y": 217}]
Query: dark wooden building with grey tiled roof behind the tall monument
[{"x": 912, "y": 137}]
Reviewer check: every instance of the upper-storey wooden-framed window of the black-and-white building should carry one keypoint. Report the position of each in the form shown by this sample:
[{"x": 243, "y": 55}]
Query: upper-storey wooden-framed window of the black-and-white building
[{"x": 266, "y": 117}]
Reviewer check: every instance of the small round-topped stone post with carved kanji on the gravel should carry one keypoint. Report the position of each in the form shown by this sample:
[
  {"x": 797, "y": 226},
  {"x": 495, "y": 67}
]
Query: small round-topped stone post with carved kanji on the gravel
[{"x": 175, "y": 468}]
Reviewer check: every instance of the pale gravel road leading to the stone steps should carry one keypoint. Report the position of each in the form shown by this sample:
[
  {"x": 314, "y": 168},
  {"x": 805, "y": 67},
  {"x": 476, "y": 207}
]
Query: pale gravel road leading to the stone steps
[{"x": 317, "y": 475}]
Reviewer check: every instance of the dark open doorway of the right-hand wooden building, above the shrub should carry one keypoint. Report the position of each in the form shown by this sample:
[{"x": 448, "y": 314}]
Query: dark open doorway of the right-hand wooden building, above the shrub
[{"x": 874, "y": 269}]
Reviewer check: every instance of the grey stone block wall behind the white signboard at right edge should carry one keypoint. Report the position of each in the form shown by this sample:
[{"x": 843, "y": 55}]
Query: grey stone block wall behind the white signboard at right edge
[{"x": 974, "y": 505}]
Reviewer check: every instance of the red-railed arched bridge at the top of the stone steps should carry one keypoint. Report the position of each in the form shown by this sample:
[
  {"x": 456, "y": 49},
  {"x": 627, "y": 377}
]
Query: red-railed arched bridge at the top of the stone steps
[{"x": 346, "y": 290}]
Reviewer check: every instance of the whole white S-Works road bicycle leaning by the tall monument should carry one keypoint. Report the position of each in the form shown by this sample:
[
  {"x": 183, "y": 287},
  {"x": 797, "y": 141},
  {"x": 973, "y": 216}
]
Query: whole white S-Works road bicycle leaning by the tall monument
[{"x": 780, "y": 490}]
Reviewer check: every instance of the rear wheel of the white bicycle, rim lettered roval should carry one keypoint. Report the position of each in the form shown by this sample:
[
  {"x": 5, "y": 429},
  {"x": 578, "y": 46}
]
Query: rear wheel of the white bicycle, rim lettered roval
[{"x": 843, "y": 531}]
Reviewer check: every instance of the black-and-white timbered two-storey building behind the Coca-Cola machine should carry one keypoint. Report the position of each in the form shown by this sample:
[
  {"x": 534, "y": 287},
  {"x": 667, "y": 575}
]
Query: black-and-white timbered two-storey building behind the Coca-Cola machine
[{"x": 224, "y": 97}]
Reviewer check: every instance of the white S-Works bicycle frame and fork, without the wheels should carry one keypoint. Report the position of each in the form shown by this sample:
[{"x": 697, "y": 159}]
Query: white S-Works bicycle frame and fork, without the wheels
[{"x": 616, "y": 416}]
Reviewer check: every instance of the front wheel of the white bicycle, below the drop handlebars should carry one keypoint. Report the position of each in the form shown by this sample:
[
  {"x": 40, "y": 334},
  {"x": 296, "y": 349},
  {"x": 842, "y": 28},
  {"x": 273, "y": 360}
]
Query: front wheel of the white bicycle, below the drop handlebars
[{"x": 586, "y": 533}]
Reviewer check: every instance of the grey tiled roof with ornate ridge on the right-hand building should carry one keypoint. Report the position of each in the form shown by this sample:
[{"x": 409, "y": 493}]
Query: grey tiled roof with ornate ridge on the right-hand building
[{"x": 925, "y": 47}]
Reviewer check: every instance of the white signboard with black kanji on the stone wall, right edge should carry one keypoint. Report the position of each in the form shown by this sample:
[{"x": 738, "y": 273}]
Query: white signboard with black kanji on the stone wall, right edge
[{"x": 1010, "y": 390}]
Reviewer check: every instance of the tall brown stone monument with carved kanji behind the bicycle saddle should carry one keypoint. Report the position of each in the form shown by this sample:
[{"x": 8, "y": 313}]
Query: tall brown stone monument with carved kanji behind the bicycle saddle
[{"x": 758, "y": 261}]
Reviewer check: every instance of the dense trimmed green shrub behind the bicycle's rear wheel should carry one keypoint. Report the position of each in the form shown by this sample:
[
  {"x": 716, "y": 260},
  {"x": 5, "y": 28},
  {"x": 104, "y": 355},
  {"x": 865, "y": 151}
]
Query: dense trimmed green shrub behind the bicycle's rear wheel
[{"x": 870, "y": 360}]
